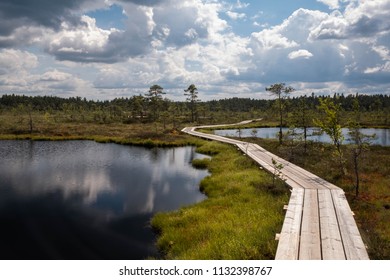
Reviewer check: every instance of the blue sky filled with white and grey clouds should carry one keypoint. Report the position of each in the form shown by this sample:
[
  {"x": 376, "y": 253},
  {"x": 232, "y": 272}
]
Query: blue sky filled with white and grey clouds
[{"x": 106, "y": 49}]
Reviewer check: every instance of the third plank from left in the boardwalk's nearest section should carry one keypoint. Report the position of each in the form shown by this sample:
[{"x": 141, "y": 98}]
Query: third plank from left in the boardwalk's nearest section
[{"x": 332, "y": 246}]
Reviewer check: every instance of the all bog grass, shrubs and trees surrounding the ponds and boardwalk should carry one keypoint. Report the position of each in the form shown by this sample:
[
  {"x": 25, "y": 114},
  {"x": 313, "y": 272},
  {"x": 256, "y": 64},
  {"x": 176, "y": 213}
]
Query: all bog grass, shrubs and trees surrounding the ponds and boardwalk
[{"x": 244, "y": 206}]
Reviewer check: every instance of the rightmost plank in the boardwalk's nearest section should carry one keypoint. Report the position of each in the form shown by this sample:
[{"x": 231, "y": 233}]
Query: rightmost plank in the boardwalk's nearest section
[{"x": 353, "y": 244}]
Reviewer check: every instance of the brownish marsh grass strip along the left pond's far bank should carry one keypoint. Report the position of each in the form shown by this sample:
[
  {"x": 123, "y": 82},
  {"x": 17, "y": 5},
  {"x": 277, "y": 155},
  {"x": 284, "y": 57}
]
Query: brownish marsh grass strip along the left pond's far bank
[{"x": 139, "y": 134}]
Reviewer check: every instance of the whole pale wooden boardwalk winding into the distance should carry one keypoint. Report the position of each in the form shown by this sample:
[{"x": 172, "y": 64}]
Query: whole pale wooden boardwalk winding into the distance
[{"x": 319, "y": 223}]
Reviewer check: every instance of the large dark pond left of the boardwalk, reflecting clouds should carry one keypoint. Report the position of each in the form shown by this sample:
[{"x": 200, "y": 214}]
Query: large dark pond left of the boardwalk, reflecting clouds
[{"x": 85, "y": 200}]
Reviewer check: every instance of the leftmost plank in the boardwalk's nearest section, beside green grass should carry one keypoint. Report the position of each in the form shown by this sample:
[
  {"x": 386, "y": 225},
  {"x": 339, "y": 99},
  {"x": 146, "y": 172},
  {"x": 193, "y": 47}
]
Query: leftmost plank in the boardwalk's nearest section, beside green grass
[{"x": 289, "y": 237}]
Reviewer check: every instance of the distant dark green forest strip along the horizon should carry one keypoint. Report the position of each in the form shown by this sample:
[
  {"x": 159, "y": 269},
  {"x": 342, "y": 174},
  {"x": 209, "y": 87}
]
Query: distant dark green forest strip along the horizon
[{"x": 235, "y": 104}]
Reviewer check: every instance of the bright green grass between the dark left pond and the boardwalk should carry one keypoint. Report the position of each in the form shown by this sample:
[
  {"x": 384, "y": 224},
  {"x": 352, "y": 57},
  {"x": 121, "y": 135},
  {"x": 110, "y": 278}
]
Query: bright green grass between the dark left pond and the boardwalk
[{"x": 238, "y": 220}]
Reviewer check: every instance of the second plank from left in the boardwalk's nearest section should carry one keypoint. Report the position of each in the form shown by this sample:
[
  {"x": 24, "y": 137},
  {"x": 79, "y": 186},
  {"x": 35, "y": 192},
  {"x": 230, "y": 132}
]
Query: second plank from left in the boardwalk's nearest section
[{"x": 310, "y": 247}]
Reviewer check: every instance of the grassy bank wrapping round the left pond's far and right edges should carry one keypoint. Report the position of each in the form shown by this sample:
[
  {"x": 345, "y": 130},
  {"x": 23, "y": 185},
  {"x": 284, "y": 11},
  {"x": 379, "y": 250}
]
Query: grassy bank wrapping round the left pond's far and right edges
[{"x": 238, "y": 220}]
